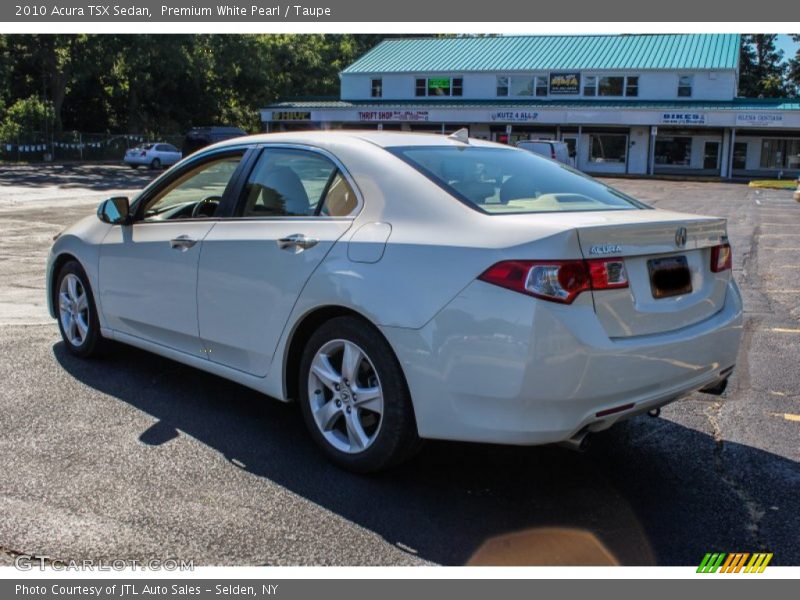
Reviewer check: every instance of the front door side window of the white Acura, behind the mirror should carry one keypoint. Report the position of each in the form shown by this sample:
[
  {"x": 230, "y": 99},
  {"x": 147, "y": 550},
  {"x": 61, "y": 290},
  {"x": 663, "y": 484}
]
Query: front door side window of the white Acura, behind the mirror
[{"x": 196, "y": 193}]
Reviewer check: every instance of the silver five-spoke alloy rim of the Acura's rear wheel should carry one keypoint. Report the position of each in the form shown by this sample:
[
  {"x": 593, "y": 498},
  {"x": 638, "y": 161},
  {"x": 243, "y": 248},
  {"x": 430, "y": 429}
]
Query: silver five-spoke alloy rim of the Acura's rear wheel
[{"x": 345, "y": 396}]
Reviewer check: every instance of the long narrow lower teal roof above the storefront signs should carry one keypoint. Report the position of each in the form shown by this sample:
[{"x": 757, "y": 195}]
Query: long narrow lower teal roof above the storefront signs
[{"x": 768, "y": 104}]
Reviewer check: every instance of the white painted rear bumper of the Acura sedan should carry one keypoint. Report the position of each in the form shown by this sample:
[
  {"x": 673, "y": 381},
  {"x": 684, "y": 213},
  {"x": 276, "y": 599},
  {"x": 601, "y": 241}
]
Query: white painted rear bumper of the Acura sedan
[{"x": 495, "y": 366}]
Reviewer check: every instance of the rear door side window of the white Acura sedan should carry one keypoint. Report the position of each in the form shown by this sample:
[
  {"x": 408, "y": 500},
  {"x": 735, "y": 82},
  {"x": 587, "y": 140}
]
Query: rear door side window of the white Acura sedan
[{"x": 292, "y": 183}]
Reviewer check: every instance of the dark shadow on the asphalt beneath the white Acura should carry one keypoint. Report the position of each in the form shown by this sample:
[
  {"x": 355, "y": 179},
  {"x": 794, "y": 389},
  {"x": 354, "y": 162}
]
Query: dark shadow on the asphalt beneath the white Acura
[{"x": 648, "y": 491}]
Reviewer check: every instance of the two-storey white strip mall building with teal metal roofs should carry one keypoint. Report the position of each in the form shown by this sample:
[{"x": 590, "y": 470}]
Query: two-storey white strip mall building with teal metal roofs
[{"x": 627, "y": 104}]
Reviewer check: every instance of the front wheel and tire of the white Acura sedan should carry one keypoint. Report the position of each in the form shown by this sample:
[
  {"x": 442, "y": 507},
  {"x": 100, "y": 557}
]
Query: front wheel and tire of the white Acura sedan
[{"x": 76, "y": 312}]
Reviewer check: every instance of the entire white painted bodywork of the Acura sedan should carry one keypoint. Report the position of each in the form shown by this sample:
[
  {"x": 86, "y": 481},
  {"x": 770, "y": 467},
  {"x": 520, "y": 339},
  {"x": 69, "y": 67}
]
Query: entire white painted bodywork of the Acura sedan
[{"x": 482, "y": 363}]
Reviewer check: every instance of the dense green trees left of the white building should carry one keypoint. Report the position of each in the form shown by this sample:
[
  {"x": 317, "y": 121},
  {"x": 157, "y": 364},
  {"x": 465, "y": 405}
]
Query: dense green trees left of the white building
[{"x": 167, "y": 83}]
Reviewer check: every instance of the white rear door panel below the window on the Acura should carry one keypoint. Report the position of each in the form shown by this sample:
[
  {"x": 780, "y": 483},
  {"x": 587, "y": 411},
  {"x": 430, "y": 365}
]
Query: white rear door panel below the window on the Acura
[{"x": 247, "y": 285}]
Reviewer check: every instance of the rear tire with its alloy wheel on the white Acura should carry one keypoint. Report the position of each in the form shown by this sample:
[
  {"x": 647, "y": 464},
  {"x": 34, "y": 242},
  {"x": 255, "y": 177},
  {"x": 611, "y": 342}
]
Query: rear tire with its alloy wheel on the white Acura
[{"x": 386, "y": 432}]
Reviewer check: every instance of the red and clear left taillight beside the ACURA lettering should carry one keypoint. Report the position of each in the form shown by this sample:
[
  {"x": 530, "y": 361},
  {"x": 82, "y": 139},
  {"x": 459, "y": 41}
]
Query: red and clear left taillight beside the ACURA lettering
[{"x": 557, "y": 280}]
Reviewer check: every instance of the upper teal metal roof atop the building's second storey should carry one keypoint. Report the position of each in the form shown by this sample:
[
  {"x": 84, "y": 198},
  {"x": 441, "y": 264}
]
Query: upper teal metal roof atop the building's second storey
[{"x": 551, "y": 53}]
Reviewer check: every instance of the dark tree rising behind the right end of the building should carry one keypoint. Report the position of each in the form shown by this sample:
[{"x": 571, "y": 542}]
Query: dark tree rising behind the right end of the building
[{"x": 762, "y": 70}]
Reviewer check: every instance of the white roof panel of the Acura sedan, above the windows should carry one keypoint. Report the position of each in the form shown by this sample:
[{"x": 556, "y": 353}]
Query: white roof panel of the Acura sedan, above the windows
[{"x": 384, "y": 139}]
